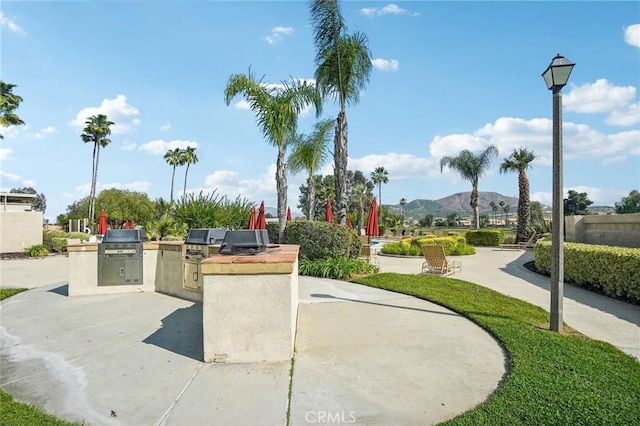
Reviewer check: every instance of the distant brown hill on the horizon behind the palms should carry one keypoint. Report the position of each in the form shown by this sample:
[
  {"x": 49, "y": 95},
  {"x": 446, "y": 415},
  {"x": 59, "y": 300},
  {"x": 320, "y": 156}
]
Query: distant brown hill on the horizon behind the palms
[{"x": 456, "y": 203}]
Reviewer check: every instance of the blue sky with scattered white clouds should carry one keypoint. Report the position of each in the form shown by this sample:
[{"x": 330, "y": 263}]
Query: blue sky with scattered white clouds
[{"x": 447, "y": 76}]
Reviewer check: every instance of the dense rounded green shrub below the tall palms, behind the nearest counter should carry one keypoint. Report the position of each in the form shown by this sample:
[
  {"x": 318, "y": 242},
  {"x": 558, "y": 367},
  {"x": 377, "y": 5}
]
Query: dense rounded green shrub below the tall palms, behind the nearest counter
[{"x": 319, "y": 239}]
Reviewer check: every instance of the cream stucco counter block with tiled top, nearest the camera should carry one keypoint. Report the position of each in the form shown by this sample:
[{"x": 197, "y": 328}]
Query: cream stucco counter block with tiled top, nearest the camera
[{"x": 250, "y": 306}]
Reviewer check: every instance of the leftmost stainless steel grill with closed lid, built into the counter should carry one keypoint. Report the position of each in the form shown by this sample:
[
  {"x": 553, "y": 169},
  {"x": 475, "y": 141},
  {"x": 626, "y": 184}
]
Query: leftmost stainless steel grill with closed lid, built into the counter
[{"x": 120, "y": 258}]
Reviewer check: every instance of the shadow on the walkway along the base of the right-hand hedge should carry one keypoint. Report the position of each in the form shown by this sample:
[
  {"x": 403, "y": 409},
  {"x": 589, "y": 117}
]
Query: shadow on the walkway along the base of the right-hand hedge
[{"x": 623, "y": 310}]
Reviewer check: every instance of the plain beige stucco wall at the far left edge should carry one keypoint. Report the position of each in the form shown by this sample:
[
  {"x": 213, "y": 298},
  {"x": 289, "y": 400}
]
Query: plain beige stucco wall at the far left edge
[{"x": 19, "y": 230}]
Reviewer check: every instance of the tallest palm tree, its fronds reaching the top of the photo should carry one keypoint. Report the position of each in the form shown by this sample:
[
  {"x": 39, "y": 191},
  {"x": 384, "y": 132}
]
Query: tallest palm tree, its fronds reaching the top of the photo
[{"x": 343, "y": 67}]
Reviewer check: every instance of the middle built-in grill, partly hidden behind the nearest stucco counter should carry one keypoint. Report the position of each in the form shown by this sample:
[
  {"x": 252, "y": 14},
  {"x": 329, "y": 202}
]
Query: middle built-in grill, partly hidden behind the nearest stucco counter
[{"x": 199, "y": 244}]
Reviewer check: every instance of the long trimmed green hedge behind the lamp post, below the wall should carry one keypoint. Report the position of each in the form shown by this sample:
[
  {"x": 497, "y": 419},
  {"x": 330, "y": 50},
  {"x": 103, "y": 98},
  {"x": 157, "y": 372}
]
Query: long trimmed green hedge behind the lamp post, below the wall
[{"x": 614, "y": 271}]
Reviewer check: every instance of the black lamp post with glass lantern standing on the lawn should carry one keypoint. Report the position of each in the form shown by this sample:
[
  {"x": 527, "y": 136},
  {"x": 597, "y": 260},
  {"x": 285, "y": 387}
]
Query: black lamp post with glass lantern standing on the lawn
[{"x": 556, "y": 76}]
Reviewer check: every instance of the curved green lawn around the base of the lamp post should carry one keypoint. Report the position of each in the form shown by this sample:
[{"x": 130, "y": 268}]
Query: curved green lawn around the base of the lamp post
[{"x": 552, "y": 379}]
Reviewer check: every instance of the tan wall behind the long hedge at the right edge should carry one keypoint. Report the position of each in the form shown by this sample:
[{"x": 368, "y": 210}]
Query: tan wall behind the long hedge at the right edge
[{"x": 622, "y": 230}]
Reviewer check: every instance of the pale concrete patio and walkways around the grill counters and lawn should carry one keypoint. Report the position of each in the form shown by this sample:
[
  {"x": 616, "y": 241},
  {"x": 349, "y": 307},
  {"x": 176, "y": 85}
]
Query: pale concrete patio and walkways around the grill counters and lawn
[{"x": 363, "y": 356}]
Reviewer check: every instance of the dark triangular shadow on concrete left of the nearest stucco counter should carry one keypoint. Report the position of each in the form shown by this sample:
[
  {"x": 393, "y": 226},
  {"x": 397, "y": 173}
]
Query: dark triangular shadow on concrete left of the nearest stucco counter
[{"x": 181, "y": 333}]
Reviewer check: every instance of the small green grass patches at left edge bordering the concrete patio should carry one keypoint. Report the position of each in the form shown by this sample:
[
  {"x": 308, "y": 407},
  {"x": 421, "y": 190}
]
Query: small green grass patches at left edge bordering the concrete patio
[{"x": 17, "y": 413}]
